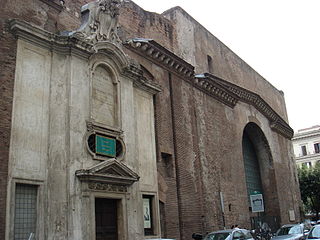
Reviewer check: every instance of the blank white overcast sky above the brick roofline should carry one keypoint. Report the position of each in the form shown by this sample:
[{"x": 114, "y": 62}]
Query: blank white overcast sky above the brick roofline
[{"x": 280, "y": 39}]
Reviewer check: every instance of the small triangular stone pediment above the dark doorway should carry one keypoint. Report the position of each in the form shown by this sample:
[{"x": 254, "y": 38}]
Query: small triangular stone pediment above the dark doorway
[{"x": 109, "y": 171}]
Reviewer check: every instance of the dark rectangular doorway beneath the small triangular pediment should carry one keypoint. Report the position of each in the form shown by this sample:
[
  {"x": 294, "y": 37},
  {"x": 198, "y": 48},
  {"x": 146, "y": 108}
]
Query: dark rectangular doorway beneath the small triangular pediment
[{"x": 106, "y": 219}]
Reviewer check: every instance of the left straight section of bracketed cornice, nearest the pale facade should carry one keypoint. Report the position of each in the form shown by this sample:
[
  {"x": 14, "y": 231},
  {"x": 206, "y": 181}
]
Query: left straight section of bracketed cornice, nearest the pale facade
[{"x": 157, "y": 53}]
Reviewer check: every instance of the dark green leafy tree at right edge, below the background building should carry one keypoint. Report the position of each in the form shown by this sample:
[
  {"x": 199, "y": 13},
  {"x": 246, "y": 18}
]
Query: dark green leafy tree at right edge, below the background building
[{"x": 309, "y": 179}]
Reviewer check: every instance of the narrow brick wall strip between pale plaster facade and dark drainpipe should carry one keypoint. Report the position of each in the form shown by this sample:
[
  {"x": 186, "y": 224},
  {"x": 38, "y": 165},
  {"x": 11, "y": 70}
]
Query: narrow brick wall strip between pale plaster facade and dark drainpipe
[{"x": 166, "y": 159}]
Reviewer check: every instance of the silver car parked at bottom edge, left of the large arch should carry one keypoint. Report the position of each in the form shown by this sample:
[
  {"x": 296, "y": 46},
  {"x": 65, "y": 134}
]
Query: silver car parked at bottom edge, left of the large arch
[{"x": 230, "y": 234}]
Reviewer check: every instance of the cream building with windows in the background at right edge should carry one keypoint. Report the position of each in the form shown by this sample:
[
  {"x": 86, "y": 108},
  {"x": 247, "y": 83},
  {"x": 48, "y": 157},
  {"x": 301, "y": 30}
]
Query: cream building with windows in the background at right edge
[{"x": 306, "y": 146}]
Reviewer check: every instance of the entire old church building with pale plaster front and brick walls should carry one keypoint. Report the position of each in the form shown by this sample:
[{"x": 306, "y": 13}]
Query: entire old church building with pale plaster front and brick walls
[{"x": 134, "y": 125}]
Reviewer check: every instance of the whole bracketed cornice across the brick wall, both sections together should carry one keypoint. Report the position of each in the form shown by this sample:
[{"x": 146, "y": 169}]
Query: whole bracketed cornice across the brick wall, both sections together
[{"x": 217, "y": 88}]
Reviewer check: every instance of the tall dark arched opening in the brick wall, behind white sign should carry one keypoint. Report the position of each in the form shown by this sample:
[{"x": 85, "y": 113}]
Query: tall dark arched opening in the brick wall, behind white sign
[{"x": 259, "y": 173}]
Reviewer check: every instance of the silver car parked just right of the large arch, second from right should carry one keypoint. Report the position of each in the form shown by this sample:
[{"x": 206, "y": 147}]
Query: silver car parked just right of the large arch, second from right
[{"x": 291, "y": 232}]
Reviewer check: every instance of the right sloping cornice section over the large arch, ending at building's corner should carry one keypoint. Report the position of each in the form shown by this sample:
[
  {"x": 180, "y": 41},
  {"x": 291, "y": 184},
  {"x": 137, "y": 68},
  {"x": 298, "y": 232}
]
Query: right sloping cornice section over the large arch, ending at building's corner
[{"x": 277, "y": 124}]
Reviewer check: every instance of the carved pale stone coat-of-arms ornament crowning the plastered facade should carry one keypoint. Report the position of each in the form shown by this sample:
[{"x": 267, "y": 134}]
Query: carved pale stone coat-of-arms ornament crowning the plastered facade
[{"x": 99, "y": 22}]
